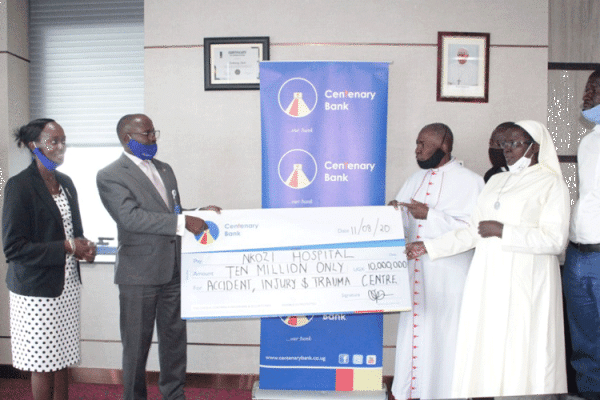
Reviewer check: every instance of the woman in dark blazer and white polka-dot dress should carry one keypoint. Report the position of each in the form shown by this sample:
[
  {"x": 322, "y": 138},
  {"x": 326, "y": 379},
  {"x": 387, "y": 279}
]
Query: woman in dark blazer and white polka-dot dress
[{"x": 43, "y": 241}]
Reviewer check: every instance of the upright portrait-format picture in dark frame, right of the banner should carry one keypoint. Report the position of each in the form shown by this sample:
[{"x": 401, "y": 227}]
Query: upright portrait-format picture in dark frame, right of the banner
[{"x": 463, "y": 66}]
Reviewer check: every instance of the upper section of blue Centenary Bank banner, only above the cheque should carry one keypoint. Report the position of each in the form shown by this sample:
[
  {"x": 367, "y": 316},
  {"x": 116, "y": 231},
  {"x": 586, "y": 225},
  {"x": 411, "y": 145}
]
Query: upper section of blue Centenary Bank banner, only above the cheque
[{"x": 324, "y": 131}]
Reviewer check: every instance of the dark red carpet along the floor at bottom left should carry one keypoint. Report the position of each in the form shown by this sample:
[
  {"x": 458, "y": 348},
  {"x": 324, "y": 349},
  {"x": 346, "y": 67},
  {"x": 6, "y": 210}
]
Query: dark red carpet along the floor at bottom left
[{"x": 19, "y": 389}]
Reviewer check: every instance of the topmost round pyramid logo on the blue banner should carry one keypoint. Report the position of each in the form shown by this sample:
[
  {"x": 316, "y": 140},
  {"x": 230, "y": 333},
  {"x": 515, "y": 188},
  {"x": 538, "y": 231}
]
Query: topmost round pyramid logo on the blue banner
[{"x": 297, "y": 97}]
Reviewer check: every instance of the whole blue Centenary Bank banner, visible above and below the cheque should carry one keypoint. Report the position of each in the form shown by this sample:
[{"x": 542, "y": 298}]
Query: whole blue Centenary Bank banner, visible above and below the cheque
[{"x": 324, "y": 131}]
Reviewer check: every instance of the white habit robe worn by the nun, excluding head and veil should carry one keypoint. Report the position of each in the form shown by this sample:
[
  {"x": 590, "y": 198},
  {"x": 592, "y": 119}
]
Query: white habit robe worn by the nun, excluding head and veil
[{"x": 511, "y": 337}]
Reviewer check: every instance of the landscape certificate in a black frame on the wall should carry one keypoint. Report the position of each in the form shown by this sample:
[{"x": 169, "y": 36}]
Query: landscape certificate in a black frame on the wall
[{"x": 232, "y": 63}]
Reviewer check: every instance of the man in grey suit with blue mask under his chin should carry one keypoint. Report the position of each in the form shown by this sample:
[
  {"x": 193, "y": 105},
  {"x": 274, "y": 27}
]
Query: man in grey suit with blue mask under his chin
[{"x": 140, "y": 193}]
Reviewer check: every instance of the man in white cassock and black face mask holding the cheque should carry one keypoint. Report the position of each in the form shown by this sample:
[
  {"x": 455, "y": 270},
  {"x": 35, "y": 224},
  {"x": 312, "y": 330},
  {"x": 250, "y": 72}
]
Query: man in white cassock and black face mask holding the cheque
[{"x": 437, "y": 199}]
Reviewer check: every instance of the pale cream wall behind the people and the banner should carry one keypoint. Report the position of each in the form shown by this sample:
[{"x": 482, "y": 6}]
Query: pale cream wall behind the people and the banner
[{"x": 212, "y": 139}]
